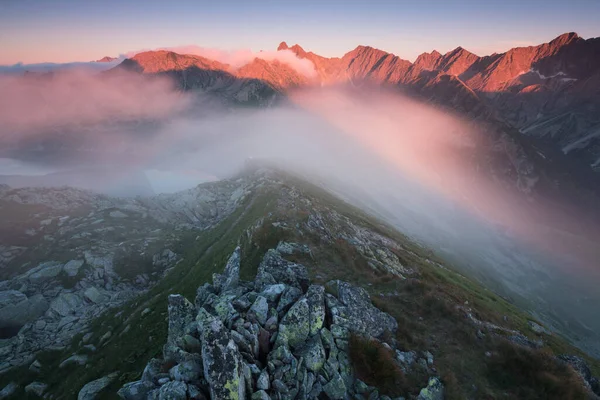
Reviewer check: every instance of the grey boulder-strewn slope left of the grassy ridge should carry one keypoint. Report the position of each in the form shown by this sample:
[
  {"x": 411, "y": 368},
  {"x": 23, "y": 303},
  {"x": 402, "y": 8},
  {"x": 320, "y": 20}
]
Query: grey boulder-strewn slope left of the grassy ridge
[{"x": 80, "y": 254}]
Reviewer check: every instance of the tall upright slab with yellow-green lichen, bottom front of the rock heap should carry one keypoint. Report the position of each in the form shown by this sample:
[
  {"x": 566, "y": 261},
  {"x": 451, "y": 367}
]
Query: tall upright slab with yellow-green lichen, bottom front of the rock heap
[{"x": 222, "y": 362}]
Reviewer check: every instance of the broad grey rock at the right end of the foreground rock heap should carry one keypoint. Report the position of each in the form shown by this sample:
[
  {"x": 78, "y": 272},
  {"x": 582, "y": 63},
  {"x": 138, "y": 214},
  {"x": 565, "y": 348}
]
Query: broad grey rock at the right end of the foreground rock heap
[{"x": 358, "y": 313}]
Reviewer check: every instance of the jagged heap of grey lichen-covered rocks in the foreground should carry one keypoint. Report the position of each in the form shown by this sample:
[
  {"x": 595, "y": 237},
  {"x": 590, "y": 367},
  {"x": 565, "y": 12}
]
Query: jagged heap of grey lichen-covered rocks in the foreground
[{"x": 275, "y": 337}]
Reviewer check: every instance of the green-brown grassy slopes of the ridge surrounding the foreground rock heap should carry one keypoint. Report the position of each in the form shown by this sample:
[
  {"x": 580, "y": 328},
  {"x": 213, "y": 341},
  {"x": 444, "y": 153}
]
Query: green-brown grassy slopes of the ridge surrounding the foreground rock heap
[{"x": 425, "y": 307}]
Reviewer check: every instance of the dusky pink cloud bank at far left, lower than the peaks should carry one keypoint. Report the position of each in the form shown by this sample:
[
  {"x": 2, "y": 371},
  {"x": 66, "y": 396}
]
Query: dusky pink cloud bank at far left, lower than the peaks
[{"x": 41, "y": 103}]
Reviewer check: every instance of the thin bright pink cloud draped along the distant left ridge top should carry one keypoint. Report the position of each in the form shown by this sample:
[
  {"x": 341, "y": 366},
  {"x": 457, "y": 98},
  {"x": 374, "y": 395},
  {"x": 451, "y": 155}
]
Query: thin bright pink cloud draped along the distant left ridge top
[{"x": 239, "y": 58}]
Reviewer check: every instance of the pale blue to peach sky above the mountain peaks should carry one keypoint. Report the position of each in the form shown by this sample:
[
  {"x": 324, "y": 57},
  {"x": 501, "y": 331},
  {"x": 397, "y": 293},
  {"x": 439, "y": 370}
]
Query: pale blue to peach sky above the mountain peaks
[{"x": 37, "y": 31}]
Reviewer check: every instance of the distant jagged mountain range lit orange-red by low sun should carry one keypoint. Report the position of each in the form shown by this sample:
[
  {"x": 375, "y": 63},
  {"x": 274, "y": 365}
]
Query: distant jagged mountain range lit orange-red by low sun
[{"x": 549, "y": 93}]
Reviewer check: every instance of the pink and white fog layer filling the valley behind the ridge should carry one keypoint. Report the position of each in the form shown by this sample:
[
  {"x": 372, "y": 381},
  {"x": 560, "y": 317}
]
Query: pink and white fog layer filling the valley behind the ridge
[{"x": 408, "y": 163}]
